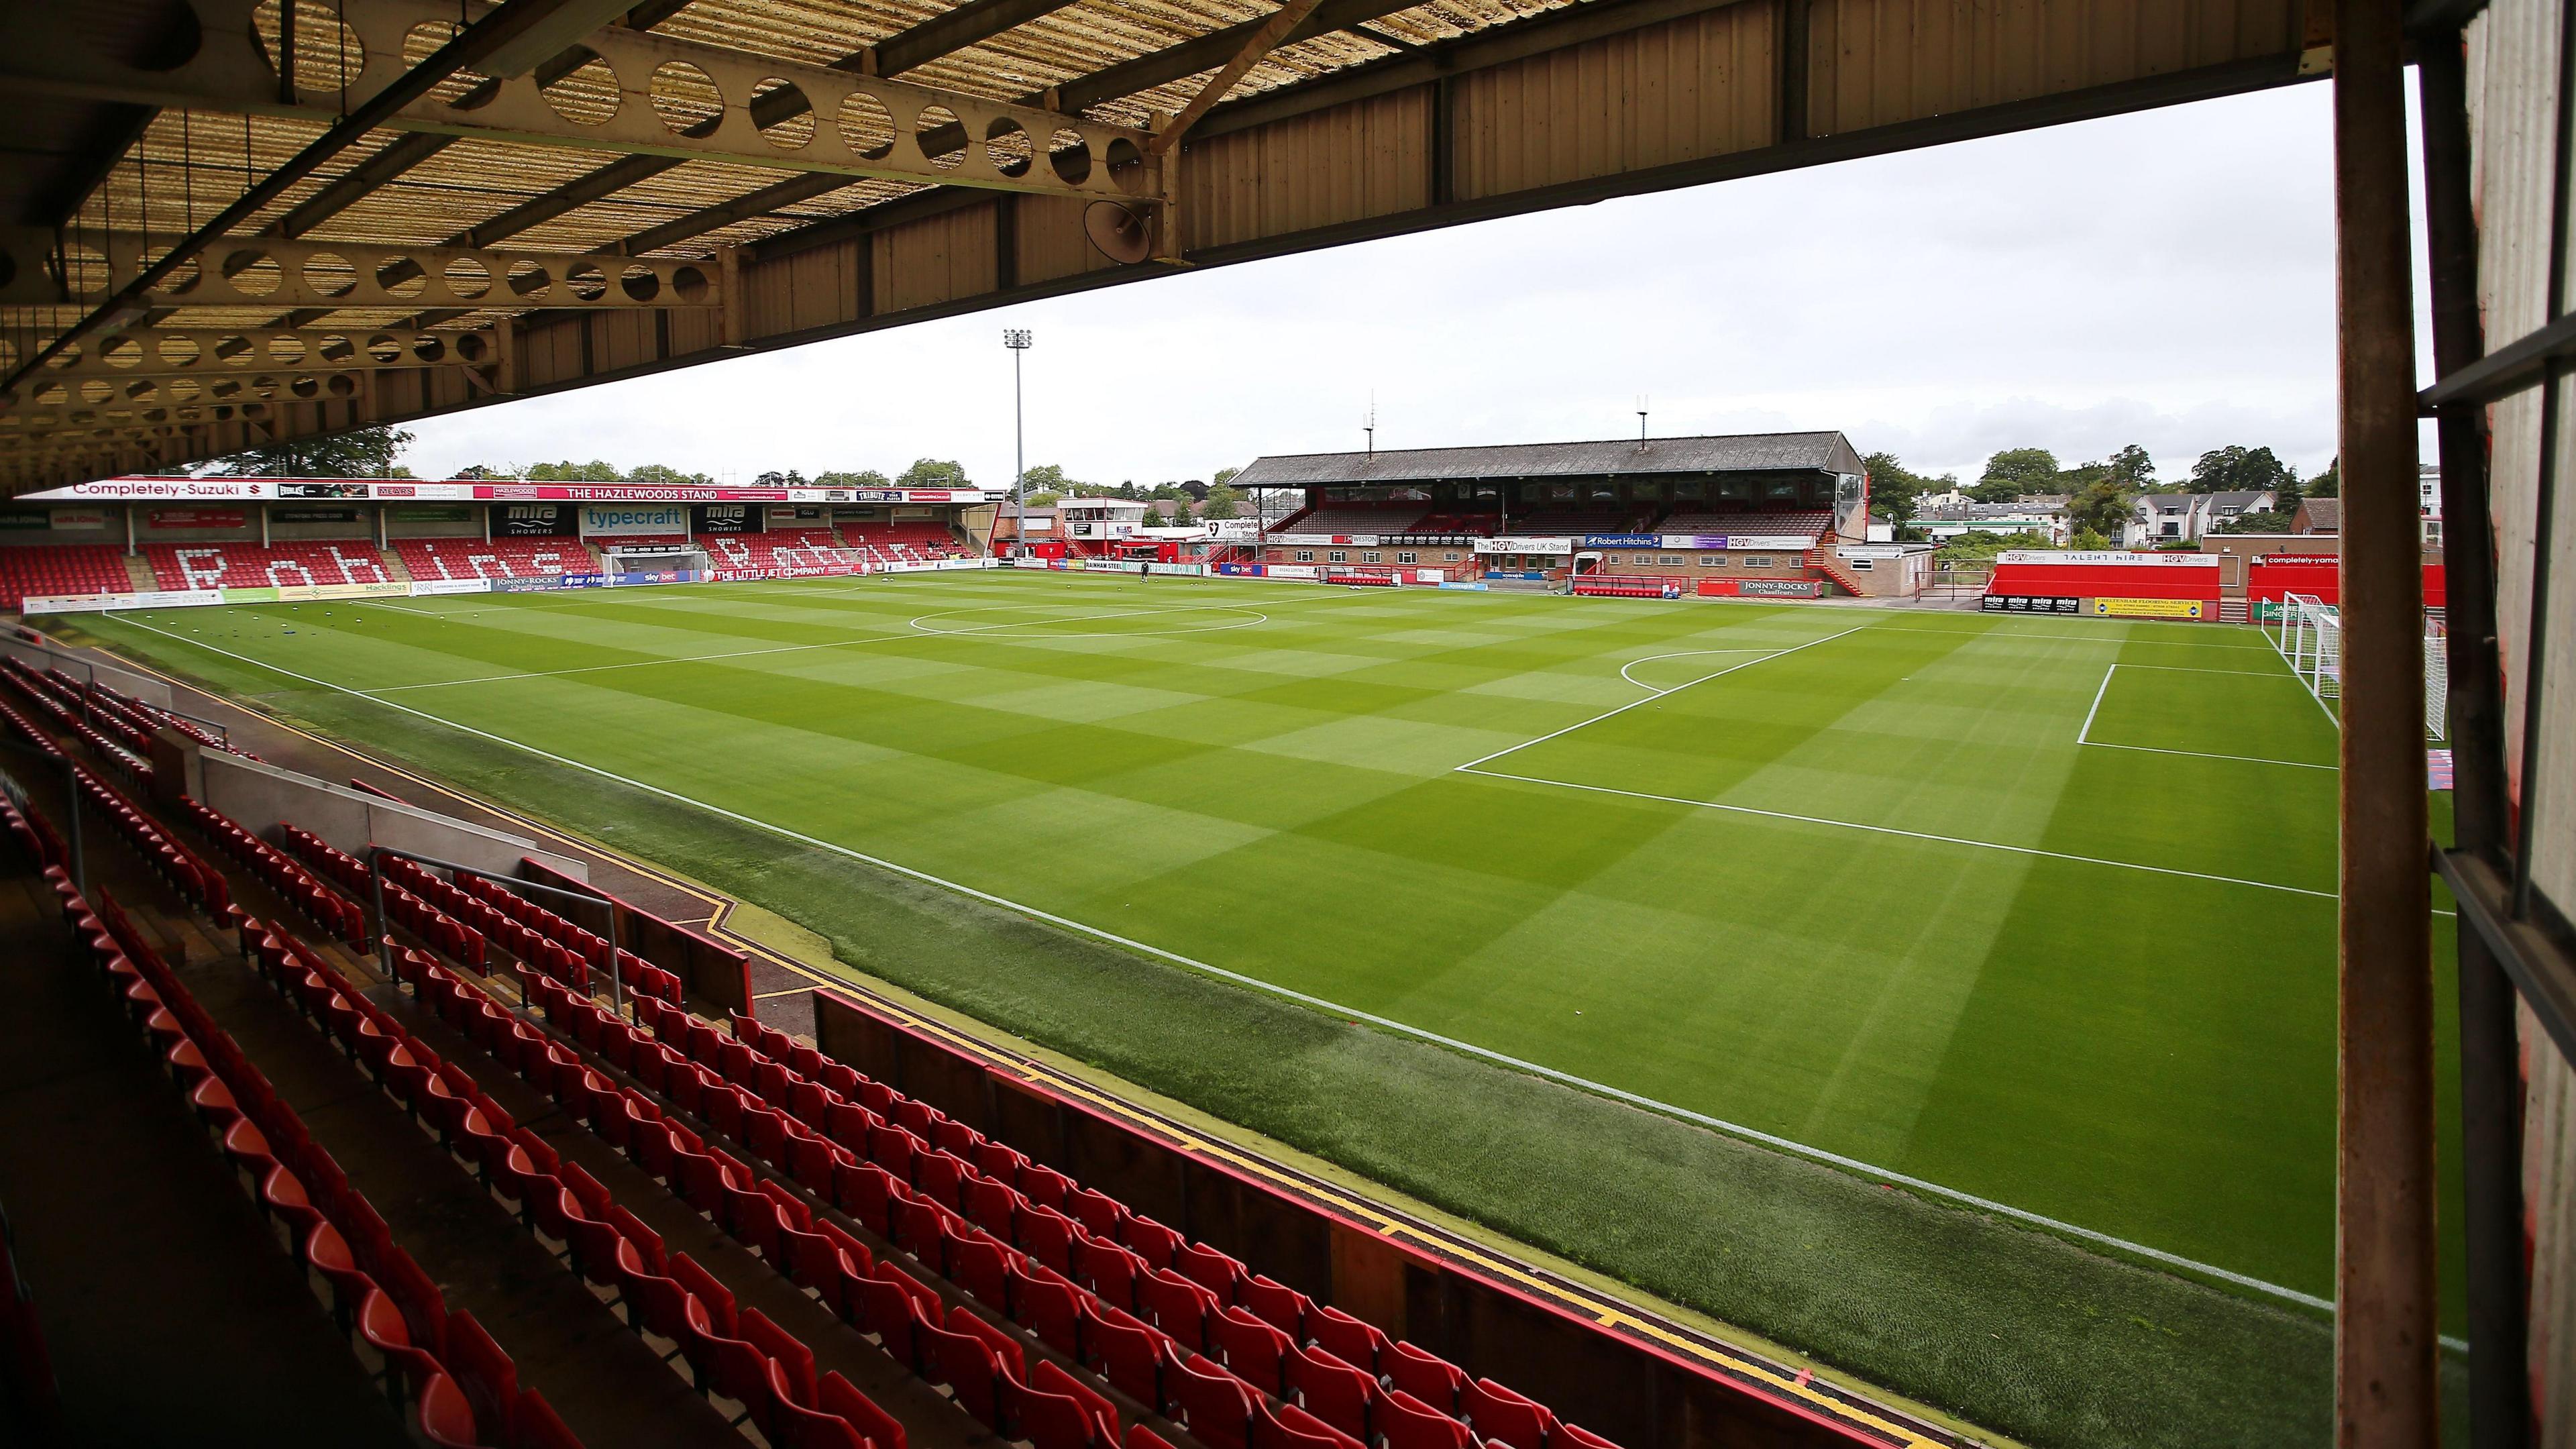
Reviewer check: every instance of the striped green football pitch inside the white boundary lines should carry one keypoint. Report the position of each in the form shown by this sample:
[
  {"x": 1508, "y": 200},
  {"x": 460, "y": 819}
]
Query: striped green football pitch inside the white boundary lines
[{"x": 2029, "y": 911}]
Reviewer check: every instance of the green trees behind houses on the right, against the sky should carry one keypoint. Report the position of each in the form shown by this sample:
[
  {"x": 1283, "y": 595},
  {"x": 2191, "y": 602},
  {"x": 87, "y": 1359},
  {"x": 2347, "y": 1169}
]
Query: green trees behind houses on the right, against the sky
[{"x": 2101, "y": 496}]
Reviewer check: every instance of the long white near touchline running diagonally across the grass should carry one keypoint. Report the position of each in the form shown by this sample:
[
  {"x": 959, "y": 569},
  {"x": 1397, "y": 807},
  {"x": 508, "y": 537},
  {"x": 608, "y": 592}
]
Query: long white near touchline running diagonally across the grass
[{"x": 1323, "y": 1004}]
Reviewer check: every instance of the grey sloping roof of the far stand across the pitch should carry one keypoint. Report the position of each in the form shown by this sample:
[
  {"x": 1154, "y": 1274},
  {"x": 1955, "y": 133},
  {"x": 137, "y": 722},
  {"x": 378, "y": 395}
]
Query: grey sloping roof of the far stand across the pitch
[{"x": 1606, "y": 458}]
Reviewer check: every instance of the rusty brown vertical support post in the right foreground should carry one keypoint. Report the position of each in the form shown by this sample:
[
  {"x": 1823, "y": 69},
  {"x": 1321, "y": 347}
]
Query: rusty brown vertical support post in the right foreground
[{"x": 2384, "y": 1262}]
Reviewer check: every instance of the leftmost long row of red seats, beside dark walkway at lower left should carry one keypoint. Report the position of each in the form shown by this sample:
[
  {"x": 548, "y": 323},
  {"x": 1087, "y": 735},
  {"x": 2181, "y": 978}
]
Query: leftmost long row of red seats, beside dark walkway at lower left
[{"x": 287, "y": 1174}]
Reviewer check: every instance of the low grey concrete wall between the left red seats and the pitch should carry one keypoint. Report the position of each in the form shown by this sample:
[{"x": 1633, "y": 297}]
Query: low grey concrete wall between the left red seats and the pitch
[{"x": 261, "y": 795}]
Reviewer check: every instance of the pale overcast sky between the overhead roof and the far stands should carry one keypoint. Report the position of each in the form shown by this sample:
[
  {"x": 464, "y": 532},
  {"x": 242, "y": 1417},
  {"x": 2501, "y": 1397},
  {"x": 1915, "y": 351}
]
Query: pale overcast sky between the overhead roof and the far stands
[{"x": 2157, "y": 280}]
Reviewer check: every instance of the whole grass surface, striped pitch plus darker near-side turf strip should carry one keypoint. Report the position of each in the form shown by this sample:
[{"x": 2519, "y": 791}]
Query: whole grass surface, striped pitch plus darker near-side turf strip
[{"x": 2145, "y": 1056}]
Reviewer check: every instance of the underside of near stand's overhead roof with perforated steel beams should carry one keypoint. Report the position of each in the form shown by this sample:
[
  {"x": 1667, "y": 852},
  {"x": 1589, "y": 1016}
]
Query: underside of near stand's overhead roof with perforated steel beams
[{"x": 228, "y": 231}]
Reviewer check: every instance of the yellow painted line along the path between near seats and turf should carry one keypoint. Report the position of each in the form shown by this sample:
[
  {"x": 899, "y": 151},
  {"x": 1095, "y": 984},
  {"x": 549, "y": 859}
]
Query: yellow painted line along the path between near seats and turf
[{"x": 1070, "y": 1087}]
